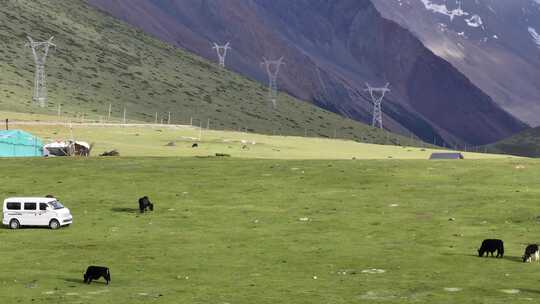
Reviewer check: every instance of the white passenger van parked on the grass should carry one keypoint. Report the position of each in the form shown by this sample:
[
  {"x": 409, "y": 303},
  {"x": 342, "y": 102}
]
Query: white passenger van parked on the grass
[{"x": 35, "y": 211}]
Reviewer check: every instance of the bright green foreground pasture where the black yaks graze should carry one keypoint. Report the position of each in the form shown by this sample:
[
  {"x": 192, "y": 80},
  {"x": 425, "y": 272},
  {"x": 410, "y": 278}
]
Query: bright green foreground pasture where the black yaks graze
[{"x": 230, "y": 231}]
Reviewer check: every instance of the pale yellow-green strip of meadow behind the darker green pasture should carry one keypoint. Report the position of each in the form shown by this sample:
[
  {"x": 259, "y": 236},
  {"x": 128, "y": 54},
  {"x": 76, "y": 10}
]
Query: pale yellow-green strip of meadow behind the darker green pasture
[{"x": 177, "y": 141}]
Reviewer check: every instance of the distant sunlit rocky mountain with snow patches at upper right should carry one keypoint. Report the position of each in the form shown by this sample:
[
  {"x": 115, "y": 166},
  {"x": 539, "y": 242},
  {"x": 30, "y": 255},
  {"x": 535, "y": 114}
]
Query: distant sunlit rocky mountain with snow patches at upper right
[{"x": 496, "y": 43}]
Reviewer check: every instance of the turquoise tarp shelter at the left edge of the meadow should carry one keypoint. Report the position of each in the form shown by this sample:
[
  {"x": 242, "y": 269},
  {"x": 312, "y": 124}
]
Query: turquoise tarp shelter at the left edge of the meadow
[{"x": 17, "y": 143}]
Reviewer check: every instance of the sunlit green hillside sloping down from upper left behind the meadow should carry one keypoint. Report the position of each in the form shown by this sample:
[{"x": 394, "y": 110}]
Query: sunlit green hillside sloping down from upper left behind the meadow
[{"x": 101, "y": 61}]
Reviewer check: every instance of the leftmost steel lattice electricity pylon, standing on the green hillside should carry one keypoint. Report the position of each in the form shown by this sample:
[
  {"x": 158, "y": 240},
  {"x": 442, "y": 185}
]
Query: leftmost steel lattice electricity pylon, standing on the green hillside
[{"x": 40, "y": 51}]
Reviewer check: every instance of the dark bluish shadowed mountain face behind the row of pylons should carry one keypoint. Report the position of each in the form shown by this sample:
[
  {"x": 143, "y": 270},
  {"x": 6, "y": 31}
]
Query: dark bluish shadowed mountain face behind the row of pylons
[{"x": 331, "y": 49}]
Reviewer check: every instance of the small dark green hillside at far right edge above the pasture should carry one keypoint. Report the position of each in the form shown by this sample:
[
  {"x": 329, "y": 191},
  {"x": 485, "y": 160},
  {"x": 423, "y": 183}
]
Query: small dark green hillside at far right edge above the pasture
[{"x": 526, "y": 143}]
